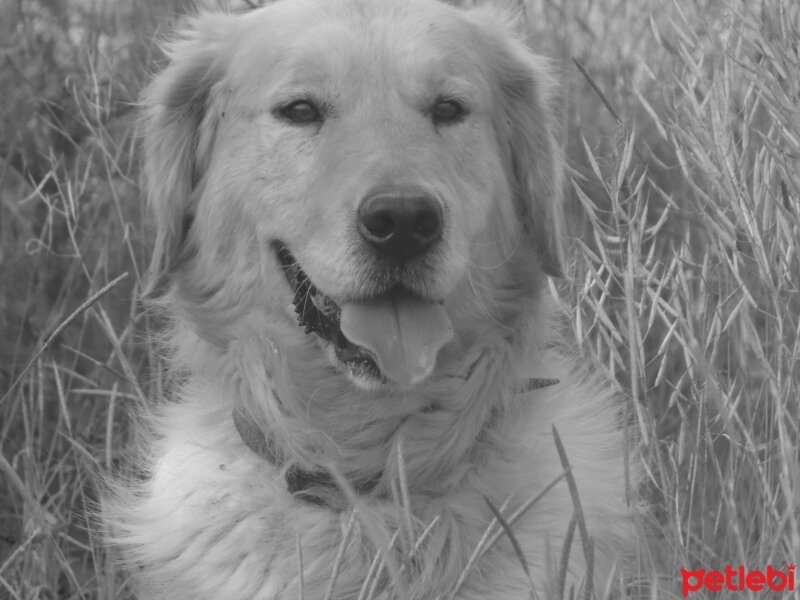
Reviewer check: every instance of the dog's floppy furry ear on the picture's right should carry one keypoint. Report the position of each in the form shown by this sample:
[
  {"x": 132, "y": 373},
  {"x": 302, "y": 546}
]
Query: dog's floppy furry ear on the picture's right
[{"x": 527, "y": 130}]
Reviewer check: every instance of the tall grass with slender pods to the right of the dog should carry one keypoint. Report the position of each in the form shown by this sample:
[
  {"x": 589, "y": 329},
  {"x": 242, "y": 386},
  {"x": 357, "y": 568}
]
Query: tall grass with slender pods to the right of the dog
[{"x": 687, "y": 279}]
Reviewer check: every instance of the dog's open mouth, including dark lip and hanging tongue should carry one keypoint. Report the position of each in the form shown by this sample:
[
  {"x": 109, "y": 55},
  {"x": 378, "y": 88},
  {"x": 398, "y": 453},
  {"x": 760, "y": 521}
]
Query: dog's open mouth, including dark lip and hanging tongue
[{"x": 394, "y": 336}]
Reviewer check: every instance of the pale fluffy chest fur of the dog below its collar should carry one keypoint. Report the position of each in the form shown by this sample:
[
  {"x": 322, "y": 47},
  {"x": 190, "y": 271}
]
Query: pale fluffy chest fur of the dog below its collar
[{"x": 215, "y": 520}]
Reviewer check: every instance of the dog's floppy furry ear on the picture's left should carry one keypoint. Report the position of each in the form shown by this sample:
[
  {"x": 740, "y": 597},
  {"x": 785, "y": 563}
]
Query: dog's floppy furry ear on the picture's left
[{"x": 178, "y": 133}]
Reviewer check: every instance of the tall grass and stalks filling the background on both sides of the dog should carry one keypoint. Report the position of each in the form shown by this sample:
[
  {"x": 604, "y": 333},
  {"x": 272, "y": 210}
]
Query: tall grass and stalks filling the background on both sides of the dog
[{"x": 684, "y": 282}]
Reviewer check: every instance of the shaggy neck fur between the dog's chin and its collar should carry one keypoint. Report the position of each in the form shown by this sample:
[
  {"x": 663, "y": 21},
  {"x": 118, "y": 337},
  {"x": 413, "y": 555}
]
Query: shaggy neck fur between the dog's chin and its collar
[{"x": 317, "y": 420}]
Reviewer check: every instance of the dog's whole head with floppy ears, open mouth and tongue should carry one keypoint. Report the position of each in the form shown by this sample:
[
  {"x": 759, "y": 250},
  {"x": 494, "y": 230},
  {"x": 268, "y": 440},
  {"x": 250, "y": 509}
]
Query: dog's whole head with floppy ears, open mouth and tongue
[{"x": 381, "y": 168}]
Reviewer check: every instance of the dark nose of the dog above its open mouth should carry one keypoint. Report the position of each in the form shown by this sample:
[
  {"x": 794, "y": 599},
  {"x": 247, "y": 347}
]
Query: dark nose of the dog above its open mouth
[{"x": 400, "y": 224}]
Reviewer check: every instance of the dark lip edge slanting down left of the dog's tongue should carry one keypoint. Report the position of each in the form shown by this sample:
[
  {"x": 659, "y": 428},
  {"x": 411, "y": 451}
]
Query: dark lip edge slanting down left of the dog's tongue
[{"x": 319, "y": 314}]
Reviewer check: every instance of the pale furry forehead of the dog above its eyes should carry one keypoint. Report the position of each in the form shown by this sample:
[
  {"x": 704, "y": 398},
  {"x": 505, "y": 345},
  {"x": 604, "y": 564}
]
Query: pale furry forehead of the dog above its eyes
[{"x": 352, "y": 40}]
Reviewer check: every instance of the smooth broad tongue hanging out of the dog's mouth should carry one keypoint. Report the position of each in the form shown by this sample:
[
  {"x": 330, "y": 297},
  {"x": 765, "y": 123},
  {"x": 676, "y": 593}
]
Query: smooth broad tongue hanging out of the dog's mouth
[{"x": 404, "y": 334}]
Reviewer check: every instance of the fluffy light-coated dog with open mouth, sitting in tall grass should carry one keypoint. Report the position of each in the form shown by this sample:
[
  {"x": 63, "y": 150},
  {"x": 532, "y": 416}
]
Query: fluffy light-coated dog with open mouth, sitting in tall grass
[{"x": 358, "y": 207}]
